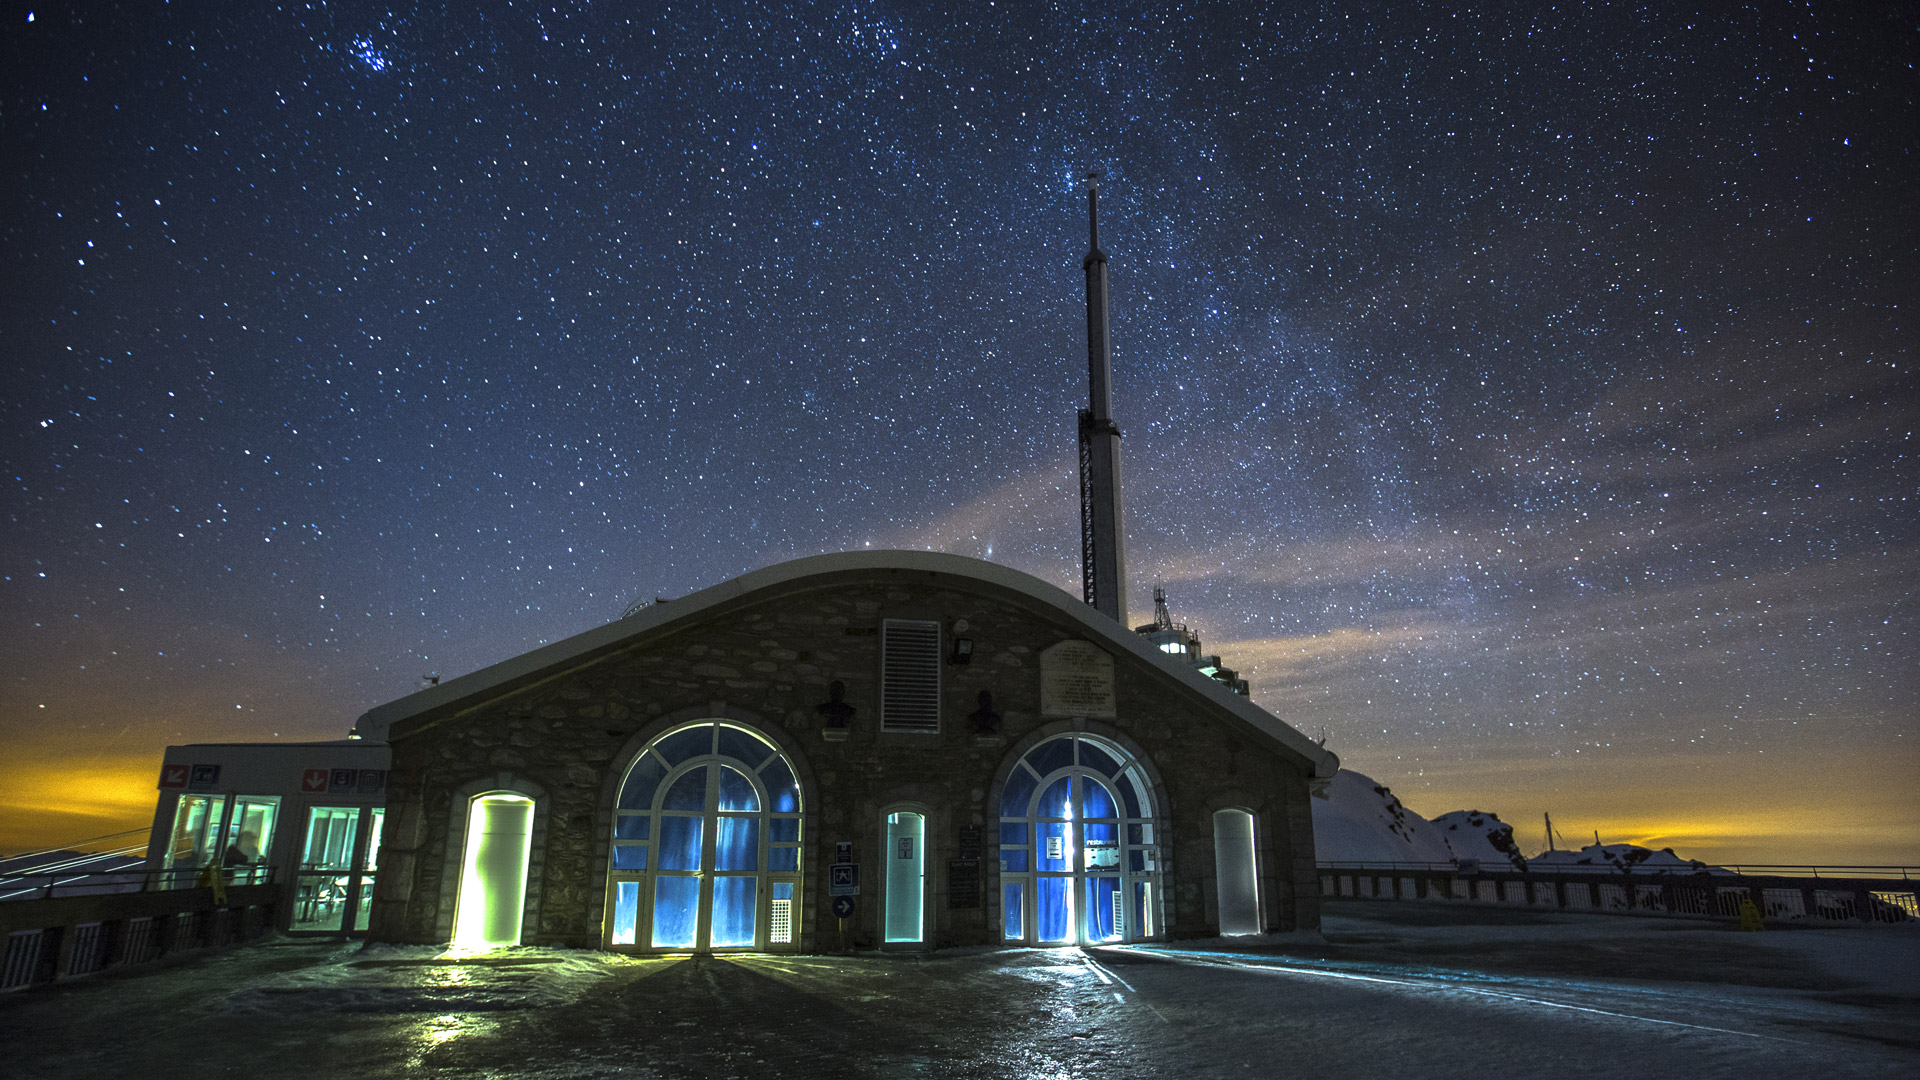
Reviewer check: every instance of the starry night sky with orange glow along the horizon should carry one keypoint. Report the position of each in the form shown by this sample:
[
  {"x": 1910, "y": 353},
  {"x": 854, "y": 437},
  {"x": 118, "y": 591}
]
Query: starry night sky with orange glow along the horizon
[{"x": 1520, "y": 399}]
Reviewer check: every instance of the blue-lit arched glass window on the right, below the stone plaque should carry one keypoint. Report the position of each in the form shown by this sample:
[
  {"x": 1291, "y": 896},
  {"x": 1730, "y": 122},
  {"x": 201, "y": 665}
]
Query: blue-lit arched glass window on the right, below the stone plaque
[{"x": 1078, "y": 847}]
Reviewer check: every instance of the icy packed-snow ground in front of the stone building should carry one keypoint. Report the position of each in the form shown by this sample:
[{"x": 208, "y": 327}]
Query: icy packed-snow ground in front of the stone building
[{"x": 1395, "y": 991}]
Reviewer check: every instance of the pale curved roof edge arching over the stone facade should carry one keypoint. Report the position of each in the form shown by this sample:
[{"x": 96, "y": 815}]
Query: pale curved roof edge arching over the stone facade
[{"x": 458, "y": 695}]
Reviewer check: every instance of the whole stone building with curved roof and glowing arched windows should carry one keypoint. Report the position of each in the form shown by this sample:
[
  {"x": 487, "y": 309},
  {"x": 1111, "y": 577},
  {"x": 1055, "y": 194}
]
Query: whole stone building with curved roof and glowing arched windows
[{"x": 873, "y": 749}]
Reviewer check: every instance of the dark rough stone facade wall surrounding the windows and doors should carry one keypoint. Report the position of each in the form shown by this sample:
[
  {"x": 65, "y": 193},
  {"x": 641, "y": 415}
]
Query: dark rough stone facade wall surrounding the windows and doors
[{"x": 769, "y": 666}]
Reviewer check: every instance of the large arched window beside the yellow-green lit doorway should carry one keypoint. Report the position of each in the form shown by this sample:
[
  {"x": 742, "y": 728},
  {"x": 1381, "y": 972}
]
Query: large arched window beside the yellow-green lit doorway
[{"x": 706, "y": 845}]
